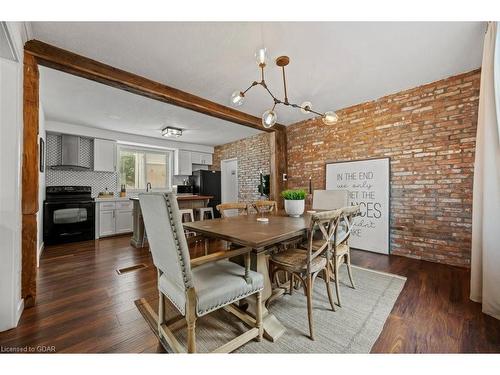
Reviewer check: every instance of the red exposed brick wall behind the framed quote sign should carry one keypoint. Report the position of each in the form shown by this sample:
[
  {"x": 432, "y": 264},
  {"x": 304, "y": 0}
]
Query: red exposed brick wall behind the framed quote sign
[{"x": 429, "y": 134}]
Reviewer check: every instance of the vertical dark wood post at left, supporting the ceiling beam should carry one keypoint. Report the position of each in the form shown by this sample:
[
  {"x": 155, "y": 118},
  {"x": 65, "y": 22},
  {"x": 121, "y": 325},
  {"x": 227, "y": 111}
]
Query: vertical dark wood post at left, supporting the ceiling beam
[{"x": 29, "y": 179}]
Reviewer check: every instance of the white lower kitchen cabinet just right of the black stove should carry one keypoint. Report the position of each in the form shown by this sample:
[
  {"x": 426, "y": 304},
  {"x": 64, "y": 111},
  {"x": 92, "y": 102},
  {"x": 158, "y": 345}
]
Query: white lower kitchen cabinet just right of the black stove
[{"x": 114, "y": 217}]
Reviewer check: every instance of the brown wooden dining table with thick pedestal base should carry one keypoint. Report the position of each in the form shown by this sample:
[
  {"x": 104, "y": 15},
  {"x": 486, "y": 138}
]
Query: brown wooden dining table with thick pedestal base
[{"x": 262, "y": 236}]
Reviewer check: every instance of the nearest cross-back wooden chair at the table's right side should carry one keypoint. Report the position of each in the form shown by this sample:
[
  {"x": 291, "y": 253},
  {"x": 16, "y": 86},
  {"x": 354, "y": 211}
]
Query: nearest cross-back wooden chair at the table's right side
[{"x": 307, "y": 265}]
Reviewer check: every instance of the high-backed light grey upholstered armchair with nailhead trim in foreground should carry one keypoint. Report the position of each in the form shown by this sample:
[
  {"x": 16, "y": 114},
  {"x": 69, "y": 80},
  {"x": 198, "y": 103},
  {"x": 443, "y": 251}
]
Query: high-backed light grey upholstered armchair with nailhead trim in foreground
[{"x": 200, "y": 286}]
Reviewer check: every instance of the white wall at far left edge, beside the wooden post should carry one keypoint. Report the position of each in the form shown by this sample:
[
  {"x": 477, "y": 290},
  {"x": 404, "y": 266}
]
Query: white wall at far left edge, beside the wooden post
[{"x": 10, "y": 183}]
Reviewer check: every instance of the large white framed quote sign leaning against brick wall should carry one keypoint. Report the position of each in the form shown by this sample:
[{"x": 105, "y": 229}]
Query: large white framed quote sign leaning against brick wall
[{"x": 367, "y": 182}]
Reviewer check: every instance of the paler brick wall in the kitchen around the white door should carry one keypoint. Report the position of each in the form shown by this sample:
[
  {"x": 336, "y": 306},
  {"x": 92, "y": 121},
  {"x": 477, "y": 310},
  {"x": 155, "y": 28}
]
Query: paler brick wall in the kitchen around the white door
[{"x": 254, "y": 155}]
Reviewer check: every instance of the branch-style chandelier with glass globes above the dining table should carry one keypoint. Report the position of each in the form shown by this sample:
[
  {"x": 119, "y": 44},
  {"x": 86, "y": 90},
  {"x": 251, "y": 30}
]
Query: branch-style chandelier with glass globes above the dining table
[{"x": 270, "y": 117}]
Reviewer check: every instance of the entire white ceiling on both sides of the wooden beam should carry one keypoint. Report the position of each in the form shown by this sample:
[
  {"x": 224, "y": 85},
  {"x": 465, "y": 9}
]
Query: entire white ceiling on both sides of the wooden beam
[{"x": 333, "y": 64}]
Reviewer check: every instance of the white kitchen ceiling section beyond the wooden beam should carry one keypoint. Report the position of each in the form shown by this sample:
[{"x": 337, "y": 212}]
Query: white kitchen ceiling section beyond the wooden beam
[{"x": 71, "y": 99}]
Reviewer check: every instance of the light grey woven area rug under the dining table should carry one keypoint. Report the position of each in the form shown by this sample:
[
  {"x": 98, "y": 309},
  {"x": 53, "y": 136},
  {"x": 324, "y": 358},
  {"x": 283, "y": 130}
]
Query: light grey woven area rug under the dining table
[{"x": 353, "y": 328}]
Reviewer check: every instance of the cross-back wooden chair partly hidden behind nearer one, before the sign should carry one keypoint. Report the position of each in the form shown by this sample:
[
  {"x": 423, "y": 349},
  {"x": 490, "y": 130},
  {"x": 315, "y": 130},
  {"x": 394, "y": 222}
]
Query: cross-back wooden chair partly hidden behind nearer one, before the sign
[{"x": 341, "y": 251}]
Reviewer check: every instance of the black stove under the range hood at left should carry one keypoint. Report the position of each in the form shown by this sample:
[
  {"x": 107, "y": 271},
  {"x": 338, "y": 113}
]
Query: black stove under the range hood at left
[{"x": 68, "y": 214}]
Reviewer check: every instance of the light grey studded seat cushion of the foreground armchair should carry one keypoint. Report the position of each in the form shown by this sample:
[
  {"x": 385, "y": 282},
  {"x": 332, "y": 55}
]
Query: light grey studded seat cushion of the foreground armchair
[{"x": 218, "y": 284}]
